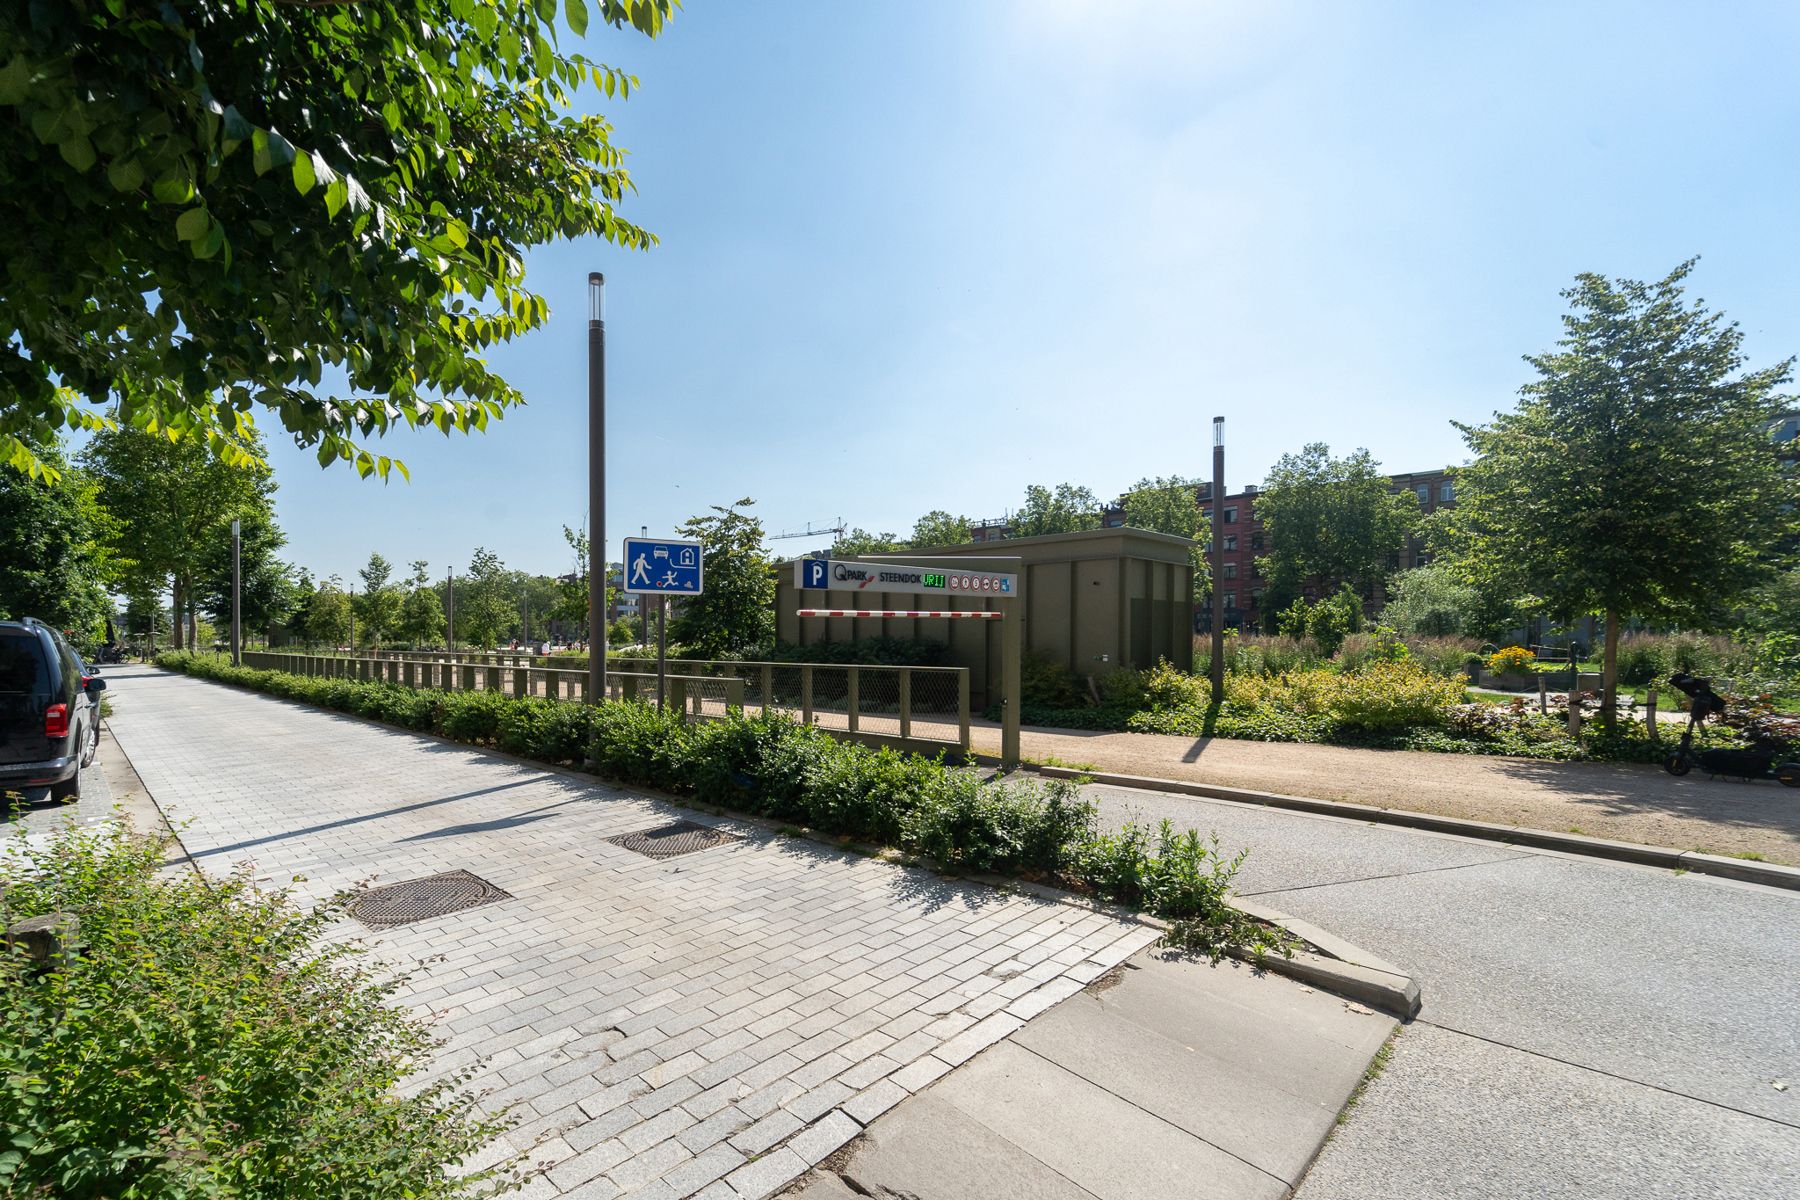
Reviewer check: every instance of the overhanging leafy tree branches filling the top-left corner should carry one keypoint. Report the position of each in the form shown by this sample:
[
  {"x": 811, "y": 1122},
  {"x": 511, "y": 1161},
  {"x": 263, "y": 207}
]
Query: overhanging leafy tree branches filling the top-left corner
[{"x": 211, "y": 208}]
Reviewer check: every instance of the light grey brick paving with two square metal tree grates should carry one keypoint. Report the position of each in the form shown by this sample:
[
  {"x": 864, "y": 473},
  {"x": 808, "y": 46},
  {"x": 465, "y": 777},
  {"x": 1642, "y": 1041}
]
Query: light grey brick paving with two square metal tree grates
[{"x": 710, "y": 1025}]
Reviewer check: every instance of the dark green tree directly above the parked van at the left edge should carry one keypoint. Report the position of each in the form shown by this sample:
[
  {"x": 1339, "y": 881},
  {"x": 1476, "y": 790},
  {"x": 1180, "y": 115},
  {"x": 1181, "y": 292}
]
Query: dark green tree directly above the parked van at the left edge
[{"x": 53, "y": 550}]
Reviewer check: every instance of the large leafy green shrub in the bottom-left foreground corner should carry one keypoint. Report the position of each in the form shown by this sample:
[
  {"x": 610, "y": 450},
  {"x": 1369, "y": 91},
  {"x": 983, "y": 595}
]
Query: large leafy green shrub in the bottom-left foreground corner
[{"x": 208, "y": 1039}]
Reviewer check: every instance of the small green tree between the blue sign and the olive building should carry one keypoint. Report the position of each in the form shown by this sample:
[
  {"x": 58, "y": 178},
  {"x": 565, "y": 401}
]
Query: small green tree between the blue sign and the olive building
[{"x": 737, "y": 614}]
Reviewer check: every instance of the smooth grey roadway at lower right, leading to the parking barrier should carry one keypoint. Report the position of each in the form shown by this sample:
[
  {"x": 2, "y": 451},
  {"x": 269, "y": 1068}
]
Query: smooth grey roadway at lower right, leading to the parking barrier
[{"x": 1588, "y": 1030}]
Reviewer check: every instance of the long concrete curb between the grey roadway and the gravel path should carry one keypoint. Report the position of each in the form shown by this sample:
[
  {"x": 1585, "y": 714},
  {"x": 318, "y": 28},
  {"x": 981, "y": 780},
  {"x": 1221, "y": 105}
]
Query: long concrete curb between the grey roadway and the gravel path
[{"x": 1743, "y": 870}]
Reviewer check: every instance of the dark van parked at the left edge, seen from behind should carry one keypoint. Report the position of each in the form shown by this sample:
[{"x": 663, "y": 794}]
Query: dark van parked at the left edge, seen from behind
[{"x": 49, "y": 712}]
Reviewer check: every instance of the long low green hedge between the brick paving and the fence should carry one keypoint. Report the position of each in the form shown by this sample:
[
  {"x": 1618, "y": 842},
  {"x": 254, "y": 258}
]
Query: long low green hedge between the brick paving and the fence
[{"x": 775, "y": 767}]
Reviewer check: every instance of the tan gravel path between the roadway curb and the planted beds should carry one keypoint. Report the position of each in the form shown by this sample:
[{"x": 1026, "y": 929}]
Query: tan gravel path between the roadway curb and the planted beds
[{"x": 1632, "y": 803}]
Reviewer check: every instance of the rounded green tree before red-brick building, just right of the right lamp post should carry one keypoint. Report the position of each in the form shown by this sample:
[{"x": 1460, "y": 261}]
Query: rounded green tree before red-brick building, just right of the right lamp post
[{"x": 1331, "y": 523}]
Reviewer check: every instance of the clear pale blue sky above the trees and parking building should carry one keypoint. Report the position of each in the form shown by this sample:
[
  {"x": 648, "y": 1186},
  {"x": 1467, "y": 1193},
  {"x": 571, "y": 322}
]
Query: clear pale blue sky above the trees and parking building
[{"x": 922, "y": 256}]
